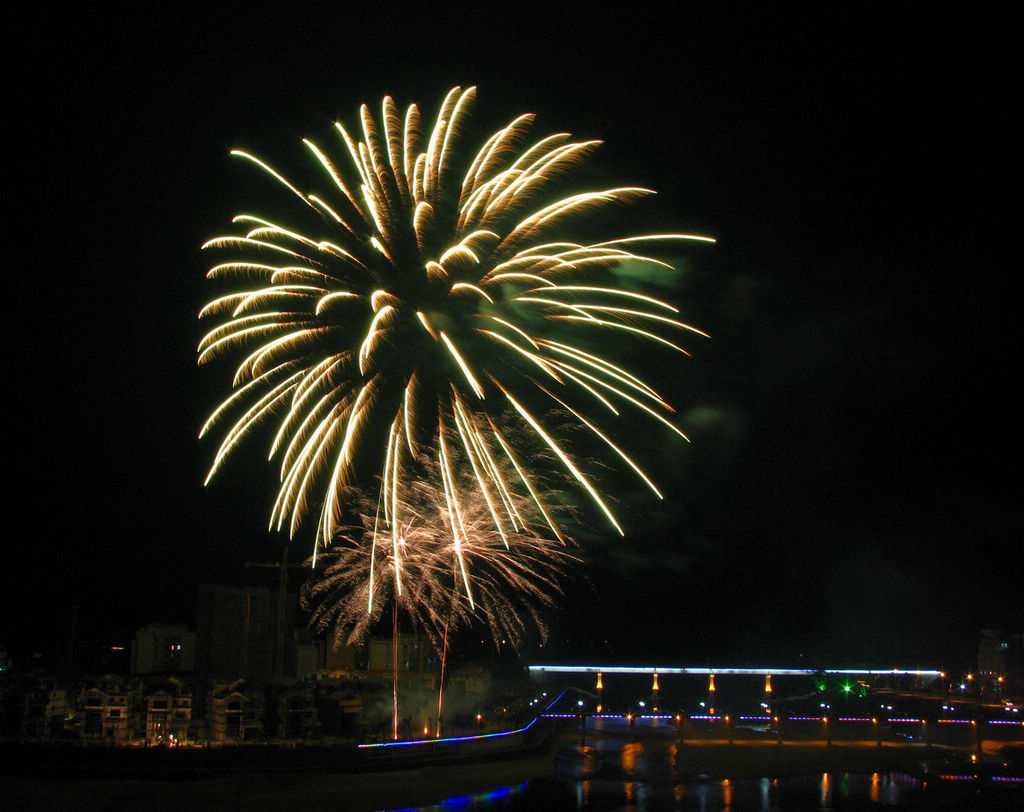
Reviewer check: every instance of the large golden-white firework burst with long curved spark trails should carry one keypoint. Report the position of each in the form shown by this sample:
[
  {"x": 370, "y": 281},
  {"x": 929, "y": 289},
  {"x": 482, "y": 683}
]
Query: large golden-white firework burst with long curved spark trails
[{"x": 414, "y": 306}]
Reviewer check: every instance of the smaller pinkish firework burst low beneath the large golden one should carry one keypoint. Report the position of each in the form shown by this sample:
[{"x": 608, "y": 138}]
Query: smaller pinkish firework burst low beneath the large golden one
[{"x": 446, "y": 567}]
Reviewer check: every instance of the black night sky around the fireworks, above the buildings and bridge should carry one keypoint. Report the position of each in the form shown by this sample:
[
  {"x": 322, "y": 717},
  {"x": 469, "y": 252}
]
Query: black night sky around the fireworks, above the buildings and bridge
[{"x": 851, "y": 492}]
